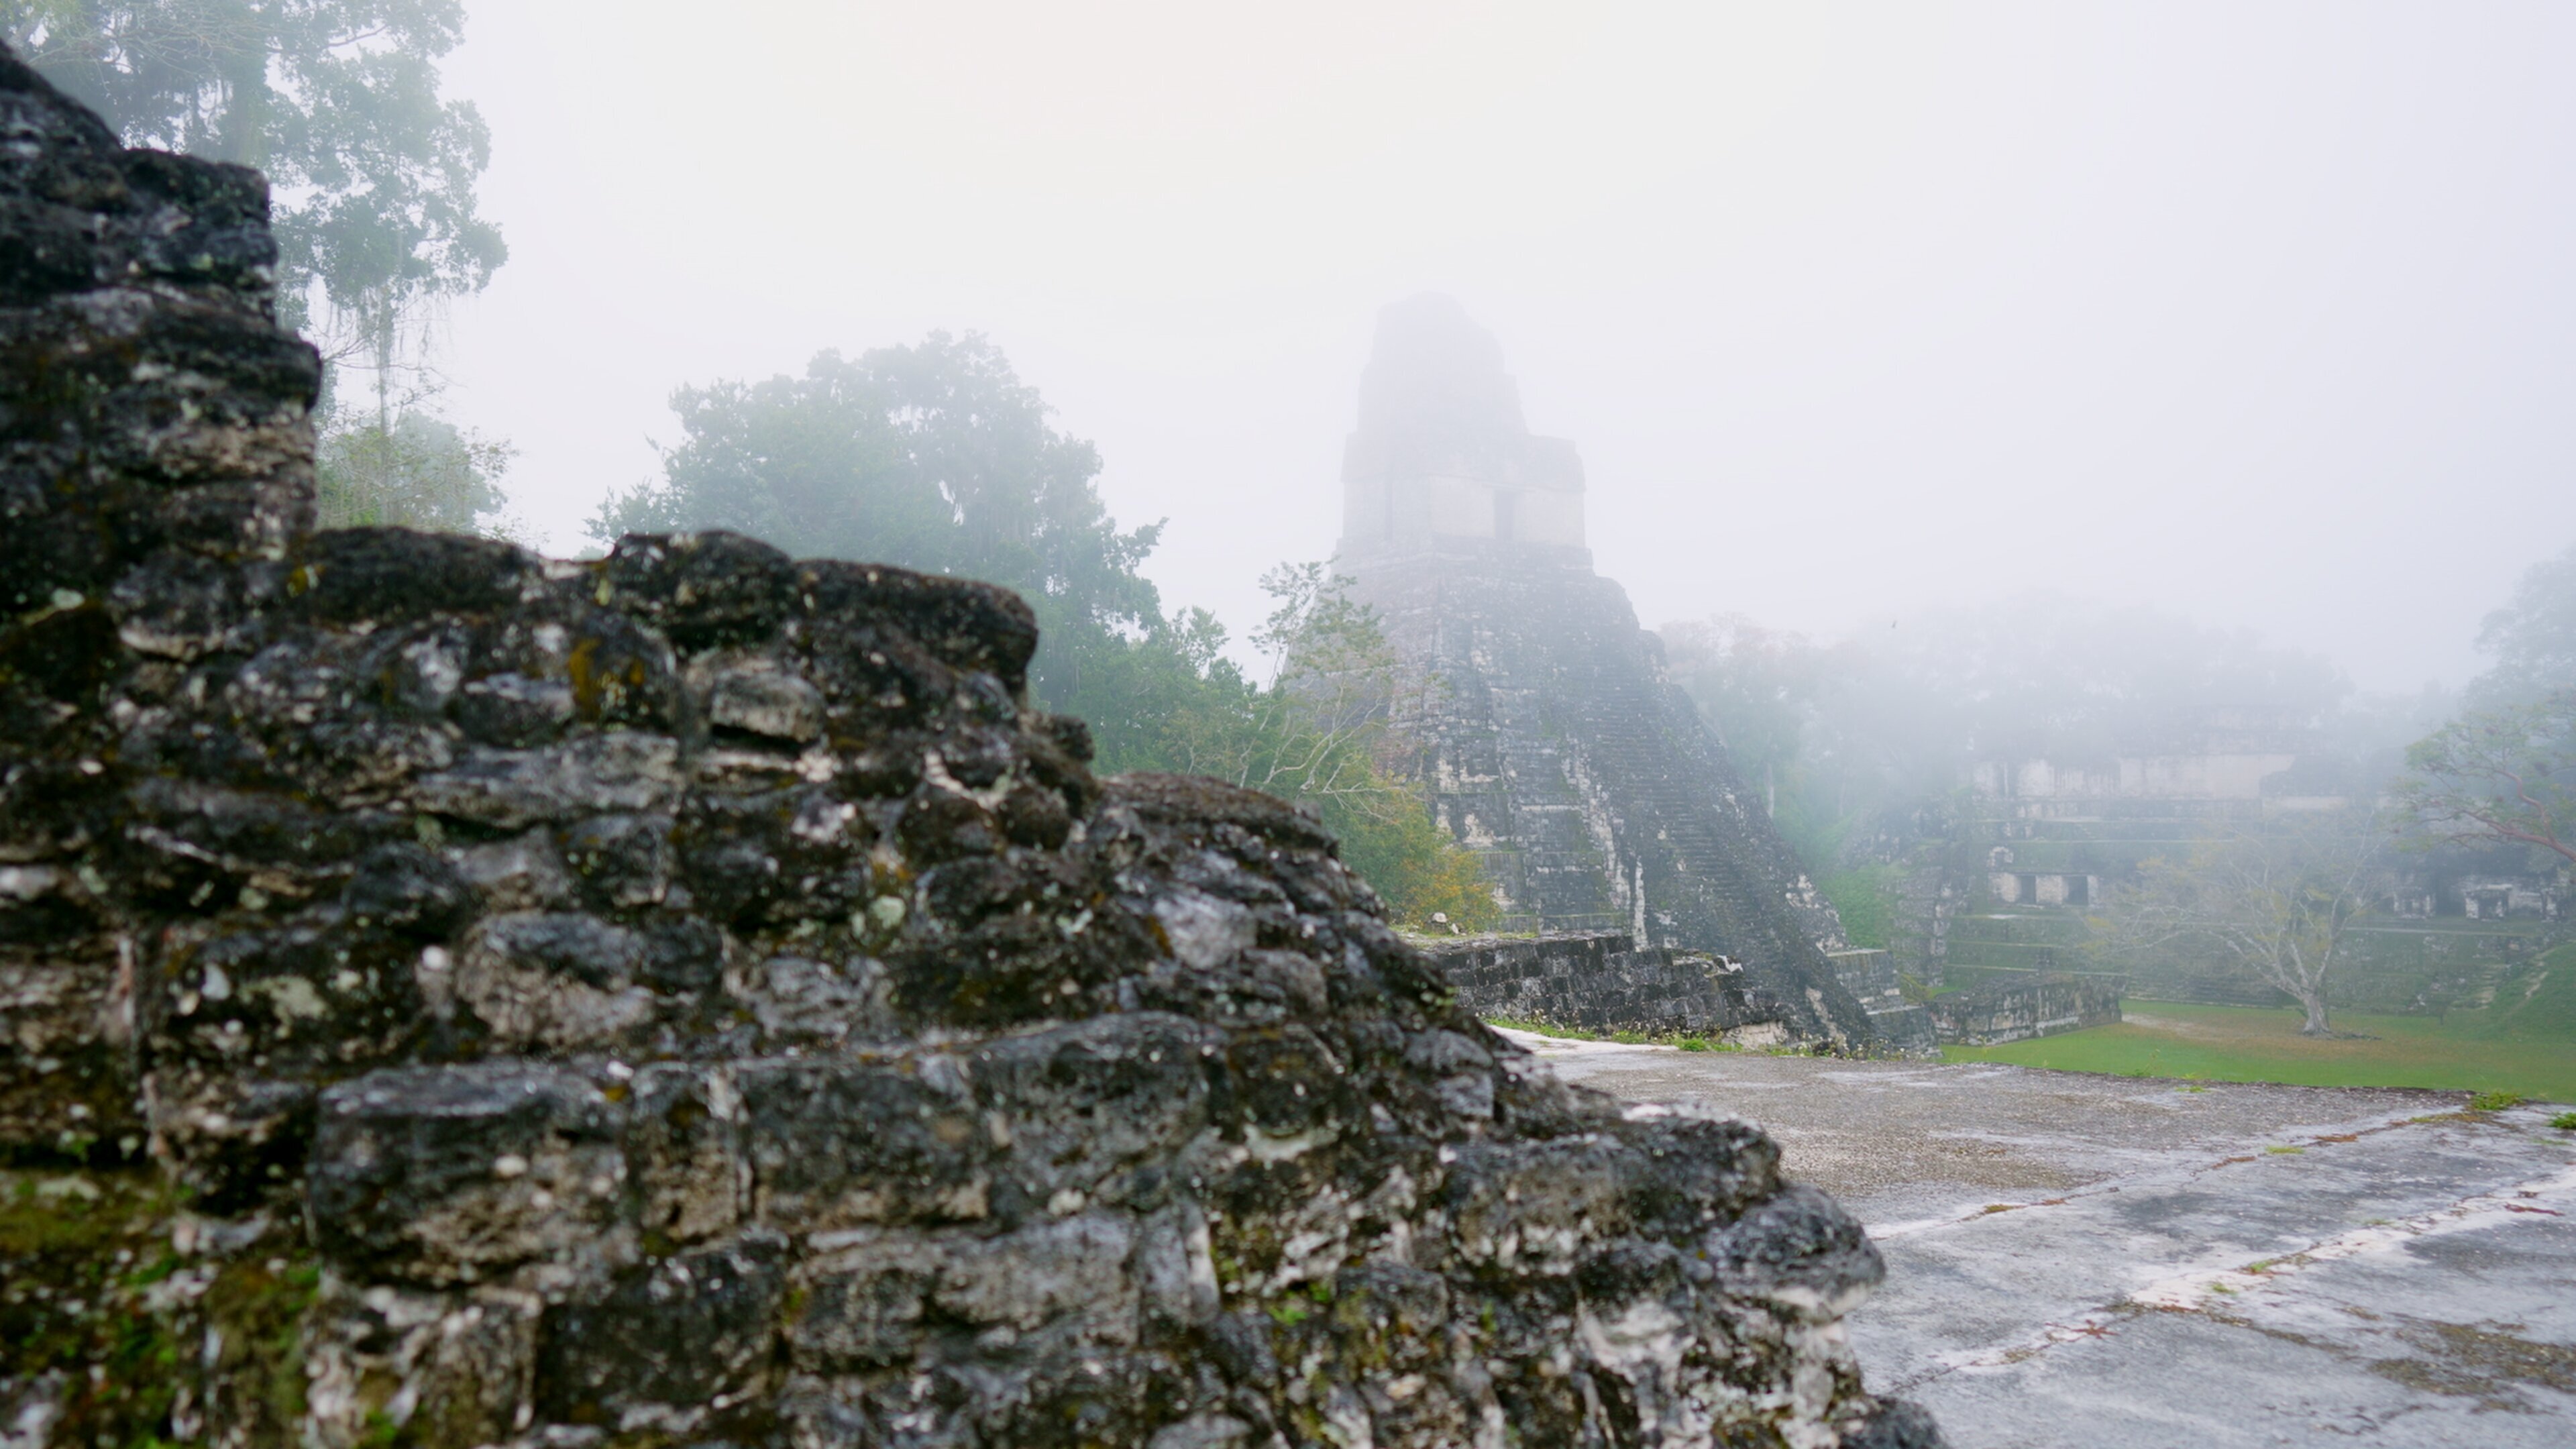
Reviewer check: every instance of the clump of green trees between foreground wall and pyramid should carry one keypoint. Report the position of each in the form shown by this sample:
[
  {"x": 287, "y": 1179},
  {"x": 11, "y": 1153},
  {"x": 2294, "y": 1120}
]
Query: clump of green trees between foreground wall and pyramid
[{"x": 939, "y": 458}]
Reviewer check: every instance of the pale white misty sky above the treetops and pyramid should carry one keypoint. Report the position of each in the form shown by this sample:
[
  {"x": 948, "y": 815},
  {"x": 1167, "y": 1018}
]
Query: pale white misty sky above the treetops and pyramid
[{"x": 2260, "y": 313}]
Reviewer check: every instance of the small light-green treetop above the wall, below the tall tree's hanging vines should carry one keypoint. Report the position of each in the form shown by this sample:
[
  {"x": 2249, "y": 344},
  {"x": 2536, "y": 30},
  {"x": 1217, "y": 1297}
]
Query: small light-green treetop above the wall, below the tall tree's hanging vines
[{"x": 416, "y": 471}]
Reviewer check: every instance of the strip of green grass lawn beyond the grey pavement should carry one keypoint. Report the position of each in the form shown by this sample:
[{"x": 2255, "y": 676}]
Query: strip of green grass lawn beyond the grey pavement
[{"x": 2521, "y": 1045}]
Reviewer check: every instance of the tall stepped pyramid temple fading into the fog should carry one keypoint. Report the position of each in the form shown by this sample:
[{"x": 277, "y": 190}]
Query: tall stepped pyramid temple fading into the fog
[{"x": 1549, "y": 734}]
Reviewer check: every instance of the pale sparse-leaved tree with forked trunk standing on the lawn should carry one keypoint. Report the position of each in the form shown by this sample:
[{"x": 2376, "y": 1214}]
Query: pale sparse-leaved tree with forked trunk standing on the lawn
[{"x": 2276, "y": 906}]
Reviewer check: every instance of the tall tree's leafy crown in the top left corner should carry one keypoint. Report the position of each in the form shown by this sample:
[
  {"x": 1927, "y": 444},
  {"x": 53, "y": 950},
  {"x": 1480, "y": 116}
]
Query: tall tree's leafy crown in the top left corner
[{"x": 334, "y": 99}]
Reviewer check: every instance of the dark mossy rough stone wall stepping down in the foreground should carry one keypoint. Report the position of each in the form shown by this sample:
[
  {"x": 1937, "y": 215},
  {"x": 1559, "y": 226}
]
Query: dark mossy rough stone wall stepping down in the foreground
[{"x": 452, "y": 997}]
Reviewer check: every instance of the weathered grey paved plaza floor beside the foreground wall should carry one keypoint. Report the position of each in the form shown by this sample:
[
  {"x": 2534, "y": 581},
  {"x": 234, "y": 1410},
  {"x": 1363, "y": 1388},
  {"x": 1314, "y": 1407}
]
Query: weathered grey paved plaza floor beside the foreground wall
[{"x": 2116, "y": 1262}]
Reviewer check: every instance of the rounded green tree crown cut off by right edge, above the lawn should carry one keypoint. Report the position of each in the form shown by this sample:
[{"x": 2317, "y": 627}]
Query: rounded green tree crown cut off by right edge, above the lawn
[{"x": 2503, "y": 775}]
